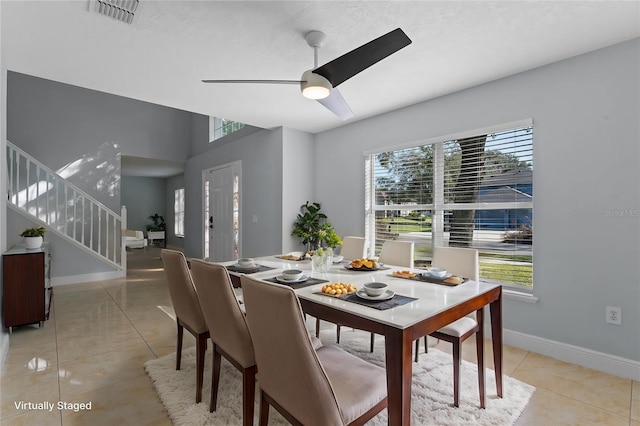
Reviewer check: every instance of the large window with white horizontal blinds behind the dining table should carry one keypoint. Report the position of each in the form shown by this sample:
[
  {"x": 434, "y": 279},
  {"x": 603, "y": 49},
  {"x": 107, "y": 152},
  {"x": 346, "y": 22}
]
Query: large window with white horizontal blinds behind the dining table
[{"x": 474, "y": 190}]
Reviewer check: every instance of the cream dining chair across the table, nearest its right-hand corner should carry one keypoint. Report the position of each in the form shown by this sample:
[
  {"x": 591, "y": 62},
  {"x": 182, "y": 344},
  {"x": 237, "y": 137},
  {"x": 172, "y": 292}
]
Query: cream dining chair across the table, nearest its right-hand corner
[{"x": 462, "y": 262}]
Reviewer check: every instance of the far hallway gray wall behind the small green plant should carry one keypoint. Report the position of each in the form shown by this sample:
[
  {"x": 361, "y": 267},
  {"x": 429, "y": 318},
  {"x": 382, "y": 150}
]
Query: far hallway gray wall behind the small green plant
[{"x": 143, "y": 196}]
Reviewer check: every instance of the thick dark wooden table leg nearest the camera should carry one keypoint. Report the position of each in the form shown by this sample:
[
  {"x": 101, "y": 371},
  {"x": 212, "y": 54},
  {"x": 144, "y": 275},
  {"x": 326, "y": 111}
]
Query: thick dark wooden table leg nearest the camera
[{"x": 398, "y": 345}]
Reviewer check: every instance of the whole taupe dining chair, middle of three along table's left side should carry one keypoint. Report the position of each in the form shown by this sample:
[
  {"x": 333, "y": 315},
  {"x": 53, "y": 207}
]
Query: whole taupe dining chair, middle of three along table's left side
[{"x": 228, "y": 330}]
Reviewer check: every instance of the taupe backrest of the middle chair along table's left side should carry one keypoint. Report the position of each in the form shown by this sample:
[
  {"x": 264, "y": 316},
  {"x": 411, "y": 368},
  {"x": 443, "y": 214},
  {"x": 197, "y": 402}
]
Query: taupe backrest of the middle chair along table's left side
[{"x": 225, "y": 320}]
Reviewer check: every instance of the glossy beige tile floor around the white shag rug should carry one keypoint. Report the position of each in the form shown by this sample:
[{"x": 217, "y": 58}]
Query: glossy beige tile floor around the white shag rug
[{"x": 99, "y": 334}]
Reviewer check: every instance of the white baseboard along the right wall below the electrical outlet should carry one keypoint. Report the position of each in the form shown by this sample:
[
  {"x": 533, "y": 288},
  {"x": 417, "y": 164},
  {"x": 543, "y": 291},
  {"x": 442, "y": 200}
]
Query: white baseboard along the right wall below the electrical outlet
[{"x": 607, "y": 363}]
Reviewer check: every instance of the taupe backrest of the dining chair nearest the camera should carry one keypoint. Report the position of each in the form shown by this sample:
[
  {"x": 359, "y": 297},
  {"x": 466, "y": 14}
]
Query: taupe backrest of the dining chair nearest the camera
[{"x": 288, "y": 367}]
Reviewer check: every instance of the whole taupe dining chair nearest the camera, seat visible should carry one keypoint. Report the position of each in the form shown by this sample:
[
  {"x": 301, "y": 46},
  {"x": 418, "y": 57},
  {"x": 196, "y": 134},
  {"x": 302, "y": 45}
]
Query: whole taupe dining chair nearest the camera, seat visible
[{"x": 327, "y": 386}]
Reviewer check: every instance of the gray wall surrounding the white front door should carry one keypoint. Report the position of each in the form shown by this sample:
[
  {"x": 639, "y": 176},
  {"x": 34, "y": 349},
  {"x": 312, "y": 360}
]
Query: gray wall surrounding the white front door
[{"x": 261, "y": 191}]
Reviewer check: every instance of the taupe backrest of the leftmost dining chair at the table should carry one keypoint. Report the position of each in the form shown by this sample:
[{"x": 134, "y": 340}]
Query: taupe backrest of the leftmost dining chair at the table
[{"x": 183, "y": 293}]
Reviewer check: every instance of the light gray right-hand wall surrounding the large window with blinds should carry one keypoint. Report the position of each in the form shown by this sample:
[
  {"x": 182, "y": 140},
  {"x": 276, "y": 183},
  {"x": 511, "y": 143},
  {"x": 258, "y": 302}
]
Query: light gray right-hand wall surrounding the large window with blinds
[{"x": 586, "y": 150}]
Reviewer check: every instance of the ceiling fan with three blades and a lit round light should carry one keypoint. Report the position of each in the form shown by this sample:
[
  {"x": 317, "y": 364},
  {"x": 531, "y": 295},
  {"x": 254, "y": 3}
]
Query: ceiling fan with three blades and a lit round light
[{"x": 320, "y": 83}]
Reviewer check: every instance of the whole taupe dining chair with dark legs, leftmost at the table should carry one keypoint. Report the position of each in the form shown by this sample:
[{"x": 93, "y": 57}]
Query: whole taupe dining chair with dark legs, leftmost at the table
[{"x": 187, "y": 310}]
